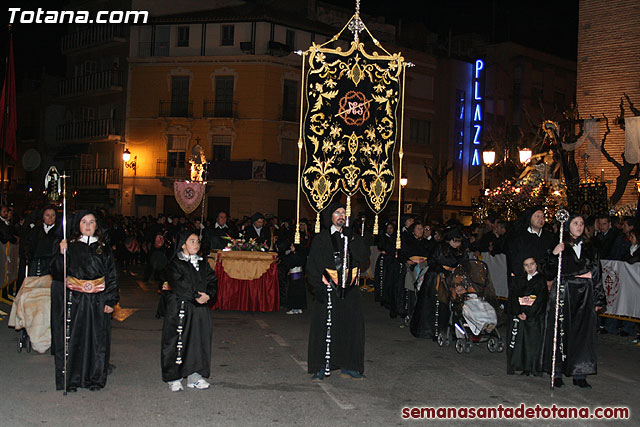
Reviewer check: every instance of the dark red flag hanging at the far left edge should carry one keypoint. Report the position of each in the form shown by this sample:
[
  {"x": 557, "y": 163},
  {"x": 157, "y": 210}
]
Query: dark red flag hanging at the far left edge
[{"x": 8, "y": 103}]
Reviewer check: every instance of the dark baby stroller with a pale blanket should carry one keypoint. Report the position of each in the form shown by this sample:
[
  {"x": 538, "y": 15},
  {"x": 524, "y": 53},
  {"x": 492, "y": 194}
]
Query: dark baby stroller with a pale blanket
[{"x": 472, "y": 319}]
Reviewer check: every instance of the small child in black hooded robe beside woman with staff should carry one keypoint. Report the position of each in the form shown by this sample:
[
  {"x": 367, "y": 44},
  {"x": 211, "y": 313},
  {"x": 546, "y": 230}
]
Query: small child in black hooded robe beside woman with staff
[{"x": 527, "y": 303}]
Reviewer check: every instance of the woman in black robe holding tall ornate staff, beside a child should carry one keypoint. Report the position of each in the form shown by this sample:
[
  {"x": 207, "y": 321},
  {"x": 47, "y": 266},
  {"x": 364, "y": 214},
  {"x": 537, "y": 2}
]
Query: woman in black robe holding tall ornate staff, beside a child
[{"x": 582, "y": 297}]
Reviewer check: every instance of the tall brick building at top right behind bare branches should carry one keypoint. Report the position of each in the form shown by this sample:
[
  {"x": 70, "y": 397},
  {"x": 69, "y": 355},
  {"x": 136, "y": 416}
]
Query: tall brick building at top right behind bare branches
[{"x": 608, "y": 68}]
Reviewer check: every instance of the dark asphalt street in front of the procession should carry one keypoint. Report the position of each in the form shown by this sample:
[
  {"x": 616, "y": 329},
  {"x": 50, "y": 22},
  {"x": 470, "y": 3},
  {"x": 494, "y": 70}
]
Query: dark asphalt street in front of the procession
[{"x": 259, "y": 377}]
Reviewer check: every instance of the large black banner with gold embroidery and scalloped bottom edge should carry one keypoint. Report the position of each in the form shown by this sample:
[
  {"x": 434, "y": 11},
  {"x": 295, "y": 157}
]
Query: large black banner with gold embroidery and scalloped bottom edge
[{"x": 350, "y": 124}]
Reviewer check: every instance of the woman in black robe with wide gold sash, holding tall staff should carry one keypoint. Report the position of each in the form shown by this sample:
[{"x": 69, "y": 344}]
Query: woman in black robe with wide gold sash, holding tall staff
[{"x": 92, "y": 293}]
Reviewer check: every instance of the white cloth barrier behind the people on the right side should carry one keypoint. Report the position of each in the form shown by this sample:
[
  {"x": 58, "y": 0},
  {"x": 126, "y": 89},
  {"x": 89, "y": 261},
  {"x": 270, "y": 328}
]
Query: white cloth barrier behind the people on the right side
[{"x": 620, "y": 280}]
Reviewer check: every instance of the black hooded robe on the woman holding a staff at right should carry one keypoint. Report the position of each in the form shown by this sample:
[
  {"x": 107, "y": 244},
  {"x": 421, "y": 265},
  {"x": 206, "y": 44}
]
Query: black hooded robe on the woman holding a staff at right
[{"x": 581, "y": 297}]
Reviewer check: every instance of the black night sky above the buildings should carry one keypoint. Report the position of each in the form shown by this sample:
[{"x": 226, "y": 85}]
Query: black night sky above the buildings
[{"x": 550, "y": 26}]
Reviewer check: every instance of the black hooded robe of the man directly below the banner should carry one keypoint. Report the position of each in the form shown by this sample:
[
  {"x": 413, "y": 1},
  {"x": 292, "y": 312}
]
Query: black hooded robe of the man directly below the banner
[{"x": 347, "y": 330}]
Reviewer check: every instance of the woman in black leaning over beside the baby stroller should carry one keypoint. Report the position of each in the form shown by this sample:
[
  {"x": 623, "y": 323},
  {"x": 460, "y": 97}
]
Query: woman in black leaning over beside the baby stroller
[{"x": 446, "y": 255}]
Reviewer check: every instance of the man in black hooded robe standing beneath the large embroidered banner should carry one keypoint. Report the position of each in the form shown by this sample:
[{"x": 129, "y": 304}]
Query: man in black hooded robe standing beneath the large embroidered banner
[{"x": 336, "y": 335}]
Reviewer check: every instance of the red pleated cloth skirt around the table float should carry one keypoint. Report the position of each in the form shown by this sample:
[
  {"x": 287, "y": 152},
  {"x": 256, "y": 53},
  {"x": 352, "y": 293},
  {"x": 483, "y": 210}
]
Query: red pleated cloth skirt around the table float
[{"x": 262, "y": 294}]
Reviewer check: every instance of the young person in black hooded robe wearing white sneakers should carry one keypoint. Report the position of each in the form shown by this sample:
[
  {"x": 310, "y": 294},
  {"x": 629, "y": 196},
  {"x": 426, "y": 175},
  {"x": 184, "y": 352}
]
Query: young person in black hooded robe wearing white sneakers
[{"x": 186, "y": 331}]
